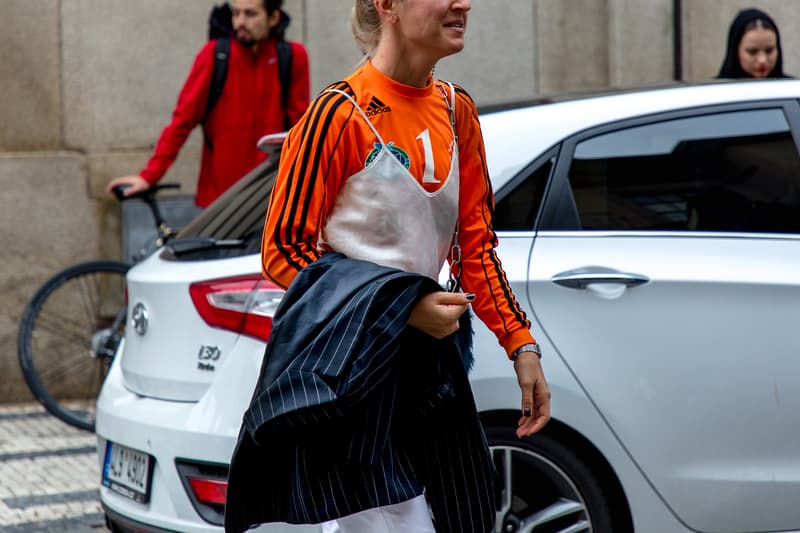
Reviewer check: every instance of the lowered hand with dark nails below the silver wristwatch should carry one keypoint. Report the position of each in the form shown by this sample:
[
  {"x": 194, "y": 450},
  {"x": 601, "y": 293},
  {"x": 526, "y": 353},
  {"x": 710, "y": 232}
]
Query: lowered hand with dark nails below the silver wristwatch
[{"x": 535, "y": 394}]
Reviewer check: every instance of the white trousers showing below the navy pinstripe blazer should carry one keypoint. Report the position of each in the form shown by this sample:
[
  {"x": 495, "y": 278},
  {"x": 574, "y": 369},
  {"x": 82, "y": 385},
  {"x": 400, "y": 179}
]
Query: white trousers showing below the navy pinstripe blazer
[{"x": 411, "y": 516}]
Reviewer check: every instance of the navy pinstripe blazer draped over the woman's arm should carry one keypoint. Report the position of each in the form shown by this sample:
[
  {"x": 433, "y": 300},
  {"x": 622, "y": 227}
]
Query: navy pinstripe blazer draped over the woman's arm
[{"x": 355, "y": 410}]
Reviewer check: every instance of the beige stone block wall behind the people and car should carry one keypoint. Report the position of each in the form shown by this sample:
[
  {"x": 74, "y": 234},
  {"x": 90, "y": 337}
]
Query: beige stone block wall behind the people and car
[{"x": 89, "y": 84}]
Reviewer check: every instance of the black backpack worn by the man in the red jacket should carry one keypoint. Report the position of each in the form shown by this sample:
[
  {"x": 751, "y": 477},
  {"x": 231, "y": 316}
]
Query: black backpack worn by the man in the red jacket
[{"x": 220, "y": 27}]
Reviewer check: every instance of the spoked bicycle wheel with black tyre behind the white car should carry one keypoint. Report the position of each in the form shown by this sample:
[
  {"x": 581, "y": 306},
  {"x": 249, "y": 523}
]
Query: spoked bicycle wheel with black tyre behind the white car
[{"x": 68, "y": 336}]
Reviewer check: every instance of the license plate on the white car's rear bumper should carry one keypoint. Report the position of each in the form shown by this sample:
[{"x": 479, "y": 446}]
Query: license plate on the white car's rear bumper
[{"x": 128, "y": 472}]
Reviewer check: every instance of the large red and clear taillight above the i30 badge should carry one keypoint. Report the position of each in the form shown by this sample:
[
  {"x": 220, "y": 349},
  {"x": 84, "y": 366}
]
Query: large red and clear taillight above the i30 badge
[{"x": 242, "y": 304}]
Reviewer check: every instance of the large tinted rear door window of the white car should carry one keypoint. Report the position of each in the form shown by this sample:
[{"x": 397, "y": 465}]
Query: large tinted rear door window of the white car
[{"x": 733, "y": 171}]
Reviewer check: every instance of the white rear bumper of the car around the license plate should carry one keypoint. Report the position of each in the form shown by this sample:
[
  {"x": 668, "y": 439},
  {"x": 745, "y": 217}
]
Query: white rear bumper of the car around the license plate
[{"x": 204, "y": 431}]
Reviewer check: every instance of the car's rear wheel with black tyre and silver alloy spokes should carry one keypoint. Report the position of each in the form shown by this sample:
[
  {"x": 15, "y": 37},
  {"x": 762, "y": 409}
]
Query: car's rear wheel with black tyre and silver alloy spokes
[{"x": 543, "y": 486}]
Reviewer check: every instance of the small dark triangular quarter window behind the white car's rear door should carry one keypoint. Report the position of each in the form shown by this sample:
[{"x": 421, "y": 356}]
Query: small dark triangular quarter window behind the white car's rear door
[{"x": 517, "y": 210}]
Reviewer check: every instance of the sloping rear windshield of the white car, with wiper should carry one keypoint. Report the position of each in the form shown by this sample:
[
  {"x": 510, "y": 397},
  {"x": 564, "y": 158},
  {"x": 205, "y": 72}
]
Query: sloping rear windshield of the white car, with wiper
[{"x": 232, "y": 225}]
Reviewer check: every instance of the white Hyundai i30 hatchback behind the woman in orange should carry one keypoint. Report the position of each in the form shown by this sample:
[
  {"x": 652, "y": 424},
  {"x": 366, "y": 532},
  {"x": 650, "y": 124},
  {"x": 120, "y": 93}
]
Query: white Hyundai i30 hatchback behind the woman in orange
[{"x": 653, "y": 237}]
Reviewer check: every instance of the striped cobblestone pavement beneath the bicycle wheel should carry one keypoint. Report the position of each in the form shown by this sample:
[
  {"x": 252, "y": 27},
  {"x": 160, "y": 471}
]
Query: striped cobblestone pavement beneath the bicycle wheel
[{"x": 49, "y": 476}]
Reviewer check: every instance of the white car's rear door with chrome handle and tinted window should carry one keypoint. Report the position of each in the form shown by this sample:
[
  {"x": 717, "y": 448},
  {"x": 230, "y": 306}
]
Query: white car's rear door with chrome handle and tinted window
[{"x": 665, "y": 273}]
